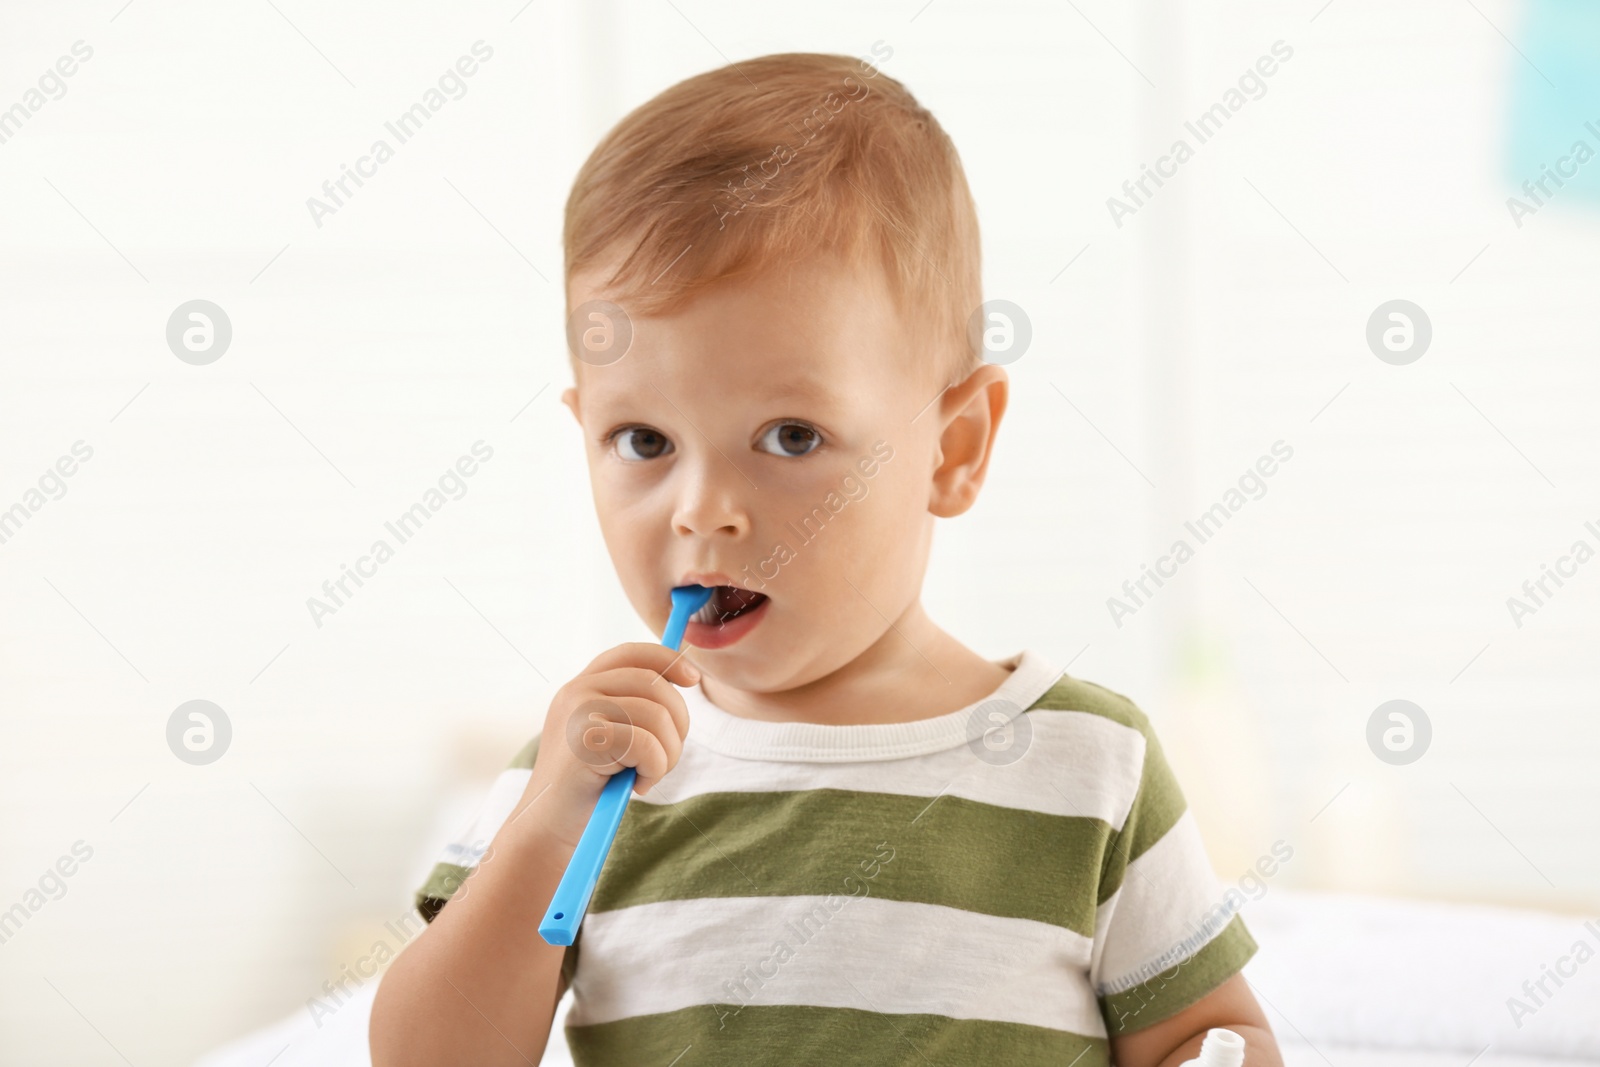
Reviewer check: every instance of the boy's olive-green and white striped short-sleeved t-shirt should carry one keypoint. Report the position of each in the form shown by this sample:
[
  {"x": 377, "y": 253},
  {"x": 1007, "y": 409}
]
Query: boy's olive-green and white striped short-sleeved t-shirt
[{"x": 1007, "y": 884}]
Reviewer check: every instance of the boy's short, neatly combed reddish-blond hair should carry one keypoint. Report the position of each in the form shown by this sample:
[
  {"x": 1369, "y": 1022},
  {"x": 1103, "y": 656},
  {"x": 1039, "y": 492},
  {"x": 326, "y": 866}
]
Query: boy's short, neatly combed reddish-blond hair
[{"x": 778, "y": 161}]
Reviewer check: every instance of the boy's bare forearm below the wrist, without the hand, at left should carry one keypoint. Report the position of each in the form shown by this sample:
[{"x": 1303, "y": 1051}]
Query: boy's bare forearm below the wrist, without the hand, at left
[{"x": 462, "y": 991}]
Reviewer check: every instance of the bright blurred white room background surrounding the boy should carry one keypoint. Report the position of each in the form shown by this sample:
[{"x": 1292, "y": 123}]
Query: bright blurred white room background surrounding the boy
[{"x": 1362, "y": 260}]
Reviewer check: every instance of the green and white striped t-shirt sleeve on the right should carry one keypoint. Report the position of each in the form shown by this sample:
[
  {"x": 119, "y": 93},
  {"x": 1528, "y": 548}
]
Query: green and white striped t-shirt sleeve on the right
[{"x": 1166, "y": 932}]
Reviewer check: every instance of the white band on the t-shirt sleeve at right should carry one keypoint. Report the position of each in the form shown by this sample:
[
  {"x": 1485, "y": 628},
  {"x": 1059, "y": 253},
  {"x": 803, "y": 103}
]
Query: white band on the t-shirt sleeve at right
[{"x": 1166, "y": 911}]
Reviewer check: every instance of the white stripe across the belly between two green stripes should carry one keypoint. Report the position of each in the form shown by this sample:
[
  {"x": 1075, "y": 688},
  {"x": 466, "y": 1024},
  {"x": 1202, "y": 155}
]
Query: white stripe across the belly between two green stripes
[{"x": 855, "y": 953}]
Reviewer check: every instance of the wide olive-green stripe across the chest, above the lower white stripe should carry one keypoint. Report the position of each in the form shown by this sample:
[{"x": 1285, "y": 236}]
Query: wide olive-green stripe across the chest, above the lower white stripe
[{"x": 953, "y": 852}]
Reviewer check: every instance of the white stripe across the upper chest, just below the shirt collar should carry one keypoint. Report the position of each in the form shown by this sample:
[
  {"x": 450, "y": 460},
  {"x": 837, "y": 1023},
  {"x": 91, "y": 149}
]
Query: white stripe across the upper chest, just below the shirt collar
[{"x": 1076, "y": 764}]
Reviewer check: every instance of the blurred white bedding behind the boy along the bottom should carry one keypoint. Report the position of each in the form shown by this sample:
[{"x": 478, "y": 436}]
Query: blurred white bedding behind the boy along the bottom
[{"x": 1348, "y": 981}]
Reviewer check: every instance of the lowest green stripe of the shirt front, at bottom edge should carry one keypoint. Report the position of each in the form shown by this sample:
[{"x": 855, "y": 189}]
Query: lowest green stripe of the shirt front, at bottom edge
[{"x": 729, "y": 1036}]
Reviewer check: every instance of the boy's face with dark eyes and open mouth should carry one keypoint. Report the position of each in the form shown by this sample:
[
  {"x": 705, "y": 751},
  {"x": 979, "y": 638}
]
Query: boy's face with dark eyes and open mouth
[{"x": 775, "y": 438}]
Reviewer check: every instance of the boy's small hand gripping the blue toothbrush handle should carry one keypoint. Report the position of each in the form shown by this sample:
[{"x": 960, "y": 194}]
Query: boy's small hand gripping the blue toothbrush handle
[{"x": 620, "y": 713}]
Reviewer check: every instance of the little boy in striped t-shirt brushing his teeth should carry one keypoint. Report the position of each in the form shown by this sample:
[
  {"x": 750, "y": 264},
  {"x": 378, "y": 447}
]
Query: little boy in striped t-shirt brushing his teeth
[{"x": 854, "y": 841}]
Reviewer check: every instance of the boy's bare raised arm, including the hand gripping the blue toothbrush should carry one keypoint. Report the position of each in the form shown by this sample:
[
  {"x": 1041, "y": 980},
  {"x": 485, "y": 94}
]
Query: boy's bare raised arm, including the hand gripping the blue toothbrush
[{"x": 481, "y": 986}]
